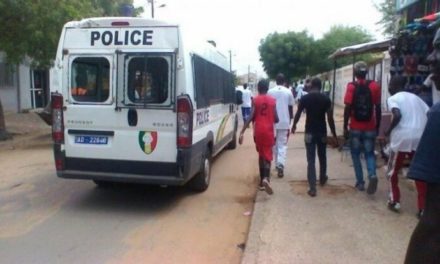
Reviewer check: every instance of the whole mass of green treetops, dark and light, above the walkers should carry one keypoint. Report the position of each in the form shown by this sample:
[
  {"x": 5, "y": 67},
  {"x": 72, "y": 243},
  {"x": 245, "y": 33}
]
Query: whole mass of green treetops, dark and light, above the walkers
[{"x": 297, "y": 54}]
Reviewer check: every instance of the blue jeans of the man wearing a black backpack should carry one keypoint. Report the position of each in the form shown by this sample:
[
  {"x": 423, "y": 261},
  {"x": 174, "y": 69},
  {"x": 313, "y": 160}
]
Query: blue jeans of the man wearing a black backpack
[{"x": 363, "y": 141}]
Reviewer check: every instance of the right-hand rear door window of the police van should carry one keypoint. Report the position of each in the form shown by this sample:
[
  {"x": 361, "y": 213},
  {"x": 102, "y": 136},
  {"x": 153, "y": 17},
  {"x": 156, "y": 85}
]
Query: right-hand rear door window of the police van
[{"x": 148, "y": 80}]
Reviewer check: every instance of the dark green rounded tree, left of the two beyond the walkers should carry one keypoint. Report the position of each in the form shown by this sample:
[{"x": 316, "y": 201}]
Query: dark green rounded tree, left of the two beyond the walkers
[{"x": 288, "y": 53}]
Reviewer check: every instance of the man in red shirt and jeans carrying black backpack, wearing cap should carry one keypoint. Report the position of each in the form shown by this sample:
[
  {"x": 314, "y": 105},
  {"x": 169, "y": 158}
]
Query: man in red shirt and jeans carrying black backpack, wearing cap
[{"x": 362, "y": 109}]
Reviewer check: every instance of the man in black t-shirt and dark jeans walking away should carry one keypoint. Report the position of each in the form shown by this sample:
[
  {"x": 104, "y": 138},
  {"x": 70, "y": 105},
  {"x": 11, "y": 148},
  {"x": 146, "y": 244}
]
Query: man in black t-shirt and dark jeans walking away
[{"x": 317, "y": 105}]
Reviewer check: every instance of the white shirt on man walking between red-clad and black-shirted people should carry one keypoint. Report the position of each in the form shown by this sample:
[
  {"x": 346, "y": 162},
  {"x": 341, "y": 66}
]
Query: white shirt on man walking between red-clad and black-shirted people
[{"x": 284, "y": 99}]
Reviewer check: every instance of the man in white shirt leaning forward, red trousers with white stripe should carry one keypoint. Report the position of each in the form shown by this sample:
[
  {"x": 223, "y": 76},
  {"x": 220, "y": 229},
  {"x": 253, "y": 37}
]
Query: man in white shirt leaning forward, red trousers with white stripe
[{"x": 406, "y": 129}]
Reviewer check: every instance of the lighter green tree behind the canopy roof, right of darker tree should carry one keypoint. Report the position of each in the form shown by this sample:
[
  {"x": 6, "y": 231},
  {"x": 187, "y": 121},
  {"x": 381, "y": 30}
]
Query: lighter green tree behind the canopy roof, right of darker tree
[{"x": 337, "y": 37}]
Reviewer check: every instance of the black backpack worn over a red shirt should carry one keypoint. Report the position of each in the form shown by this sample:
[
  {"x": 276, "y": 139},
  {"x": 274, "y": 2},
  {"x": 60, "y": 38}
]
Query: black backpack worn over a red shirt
[{"x": 362, "y": 102}]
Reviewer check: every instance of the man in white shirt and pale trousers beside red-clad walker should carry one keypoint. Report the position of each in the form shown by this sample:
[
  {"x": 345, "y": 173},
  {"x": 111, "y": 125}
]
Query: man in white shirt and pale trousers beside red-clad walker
[{"x": 284, "y": 102}]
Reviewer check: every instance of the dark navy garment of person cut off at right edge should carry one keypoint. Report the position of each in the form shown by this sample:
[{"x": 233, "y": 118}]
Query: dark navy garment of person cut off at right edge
[{"x": 425, "y": 165}]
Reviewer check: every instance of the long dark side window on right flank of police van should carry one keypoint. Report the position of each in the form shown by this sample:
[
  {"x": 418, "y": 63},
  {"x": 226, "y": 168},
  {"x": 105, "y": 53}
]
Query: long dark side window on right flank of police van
[{"x": 213, "y": 84}]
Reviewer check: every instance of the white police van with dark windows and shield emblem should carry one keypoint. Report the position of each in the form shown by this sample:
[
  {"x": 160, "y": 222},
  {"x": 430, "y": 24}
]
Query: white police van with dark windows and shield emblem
[{"x": 132, "y": 101}]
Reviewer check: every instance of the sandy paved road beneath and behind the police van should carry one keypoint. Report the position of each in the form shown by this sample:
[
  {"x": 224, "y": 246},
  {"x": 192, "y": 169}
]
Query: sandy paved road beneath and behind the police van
[{"x": 44, "y": 219}]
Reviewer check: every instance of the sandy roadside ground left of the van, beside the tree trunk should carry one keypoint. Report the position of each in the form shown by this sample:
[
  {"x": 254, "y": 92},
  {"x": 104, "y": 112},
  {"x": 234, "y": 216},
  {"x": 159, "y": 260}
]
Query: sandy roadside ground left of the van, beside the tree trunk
[{"x": 28, "y": 131}]
